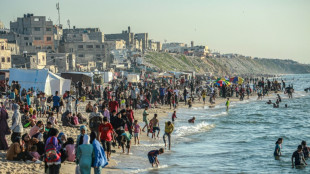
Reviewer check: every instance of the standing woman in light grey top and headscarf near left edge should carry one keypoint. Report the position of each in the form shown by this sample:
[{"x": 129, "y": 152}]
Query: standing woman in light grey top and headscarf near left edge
[{"x": 17, "y": 126}]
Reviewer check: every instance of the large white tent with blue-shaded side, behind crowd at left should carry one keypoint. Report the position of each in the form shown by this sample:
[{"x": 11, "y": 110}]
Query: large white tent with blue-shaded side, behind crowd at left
[{"x": 40, "y": 80}]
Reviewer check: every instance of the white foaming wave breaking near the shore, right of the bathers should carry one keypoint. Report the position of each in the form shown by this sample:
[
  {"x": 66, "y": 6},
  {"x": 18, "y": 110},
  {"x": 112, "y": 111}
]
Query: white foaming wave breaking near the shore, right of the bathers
[{"x": 193, "y": 128}]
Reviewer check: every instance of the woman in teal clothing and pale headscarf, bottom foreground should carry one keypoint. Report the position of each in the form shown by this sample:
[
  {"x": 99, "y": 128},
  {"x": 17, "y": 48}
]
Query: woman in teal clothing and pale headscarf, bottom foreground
[{"x": 84, "y": 155}]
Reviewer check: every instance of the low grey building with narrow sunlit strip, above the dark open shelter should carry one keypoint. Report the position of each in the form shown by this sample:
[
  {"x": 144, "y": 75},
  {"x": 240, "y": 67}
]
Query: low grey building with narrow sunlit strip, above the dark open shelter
[{"x": 63, "y": 62}]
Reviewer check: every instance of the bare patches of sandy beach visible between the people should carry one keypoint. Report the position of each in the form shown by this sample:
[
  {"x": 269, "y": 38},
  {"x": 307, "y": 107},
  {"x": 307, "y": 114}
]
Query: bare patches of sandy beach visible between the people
[{"x": 11, "y": 167}]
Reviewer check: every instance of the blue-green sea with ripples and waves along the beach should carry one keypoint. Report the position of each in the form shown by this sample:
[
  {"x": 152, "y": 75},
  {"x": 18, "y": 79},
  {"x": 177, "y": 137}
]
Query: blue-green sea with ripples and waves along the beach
[{"x": 241, "y": 140}]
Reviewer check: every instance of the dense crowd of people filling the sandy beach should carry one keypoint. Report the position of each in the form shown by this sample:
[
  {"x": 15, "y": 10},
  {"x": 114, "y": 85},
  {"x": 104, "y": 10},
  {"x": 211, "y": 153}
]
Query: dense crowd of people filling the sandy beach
[{"x": 111, "y": 118}]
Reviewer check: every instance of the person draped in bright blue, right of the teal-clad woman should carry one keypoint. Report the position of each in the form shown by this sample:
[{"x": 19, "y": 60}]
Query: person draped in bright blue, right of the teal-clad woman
[{"x": 99, "y": 158}]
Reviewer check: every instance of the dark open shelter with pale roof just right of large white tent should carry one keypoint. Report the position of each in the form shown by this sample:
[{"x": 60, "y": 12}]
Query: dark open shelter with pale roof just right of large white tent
[{"x": 79, "y": 76}]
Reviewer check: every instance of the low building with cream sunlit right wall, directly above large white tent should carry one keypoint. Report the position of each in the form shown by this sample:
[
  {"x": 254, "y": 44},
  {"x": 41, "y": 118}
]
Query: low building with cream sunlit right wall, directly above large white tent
[{"x": 29, "y": 60}]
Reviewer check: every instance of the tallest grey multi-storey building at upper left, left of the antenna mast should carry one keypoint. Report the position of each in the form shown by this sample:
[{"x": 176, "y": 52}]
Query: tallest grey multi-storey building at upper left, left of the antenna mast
[{"x": 33, "y": 33}]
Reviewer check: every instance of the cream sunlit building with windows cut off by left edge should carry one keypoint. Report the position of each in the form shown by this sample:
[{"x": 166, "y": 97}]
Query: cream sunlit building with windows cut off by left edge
[{"x": 5, "y": 55}]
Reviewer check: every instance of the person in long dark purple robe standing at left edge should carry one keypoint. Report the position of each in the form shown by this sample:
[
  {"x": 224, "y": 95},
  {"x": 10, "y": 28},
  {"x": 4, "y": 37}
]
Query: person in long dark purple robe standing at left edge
[{"x": 4, "y": 128}]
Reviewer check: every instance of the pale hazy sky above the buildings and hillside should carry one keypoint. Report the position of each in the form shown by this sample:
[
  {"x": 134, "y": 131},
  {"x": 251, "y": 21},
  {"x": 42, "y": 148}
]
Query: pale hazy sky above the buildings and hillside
[{"x": 257, "y": 28}]
